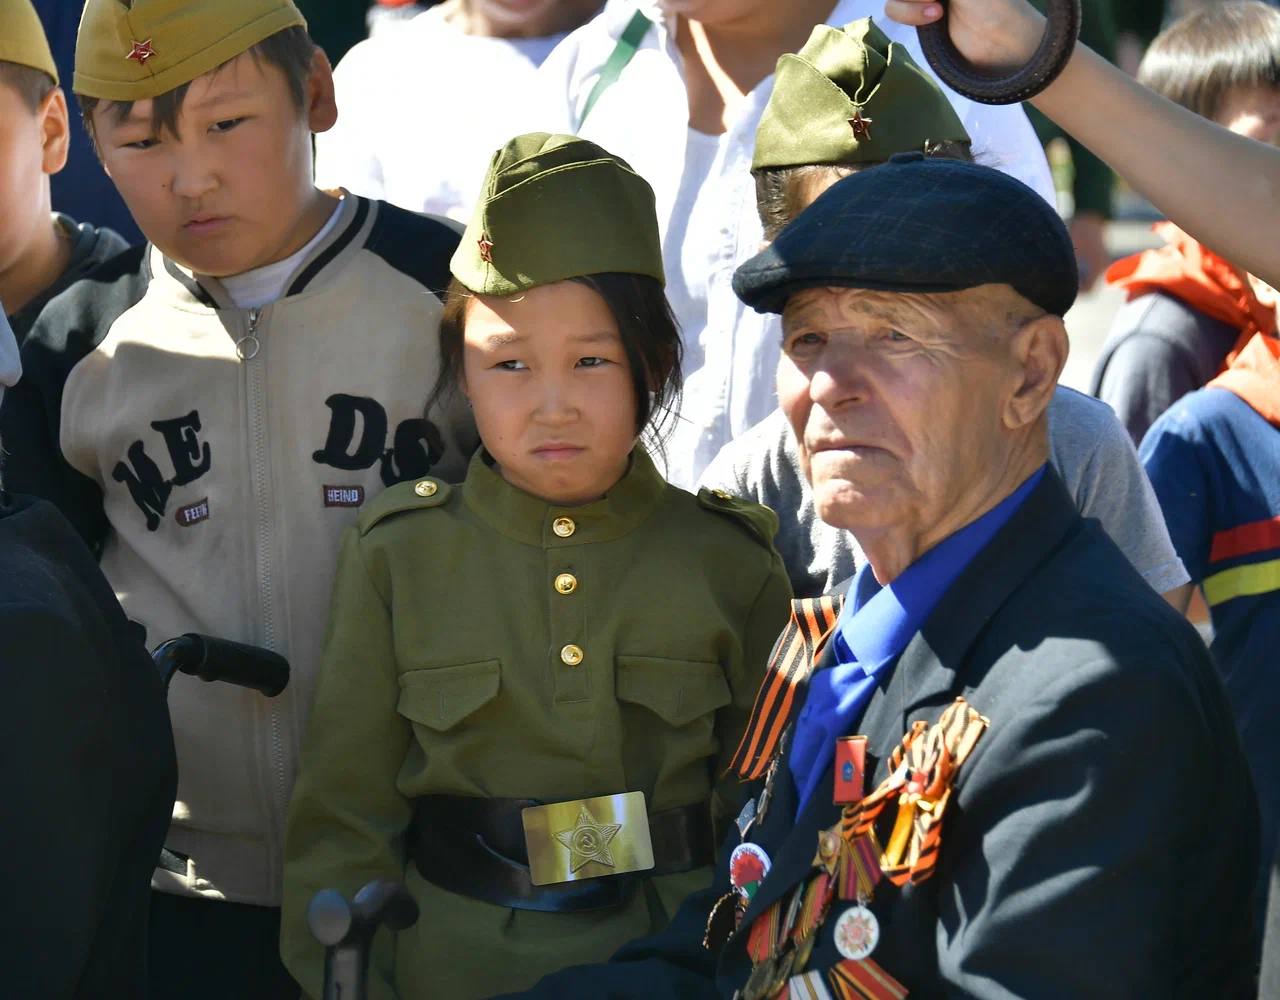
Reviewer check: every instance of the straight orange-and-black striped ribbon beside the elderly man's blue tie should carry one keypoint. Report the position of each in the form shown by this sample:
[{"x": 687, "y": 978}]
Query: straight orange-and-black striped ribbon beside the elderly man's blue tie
[{"x": 790, "y": 665}]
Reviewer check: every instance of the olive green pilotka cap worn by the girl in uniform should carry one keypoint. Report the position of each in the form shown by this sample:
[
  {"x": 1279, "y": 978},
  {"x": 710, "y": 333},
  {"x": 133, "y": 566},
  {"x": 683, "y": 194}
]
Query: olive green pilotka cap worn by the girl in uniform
[{"x": 556, "y": 208}]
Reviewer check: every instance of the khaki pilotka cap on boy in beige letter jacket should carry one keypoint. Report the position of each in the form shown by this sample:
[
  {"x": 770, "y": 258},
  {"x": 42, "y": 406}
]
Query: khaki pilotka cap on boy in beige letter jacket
[{"x": 131, "y": 52}]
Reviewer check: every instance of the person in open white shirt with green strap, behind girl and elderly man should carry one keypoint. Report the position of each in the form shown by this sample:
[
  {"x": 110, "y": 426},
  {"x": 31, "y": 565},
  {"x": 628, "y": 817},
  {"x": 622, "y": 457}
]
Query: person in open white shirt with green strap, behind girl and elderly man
[{"x": 684, "y": 113}]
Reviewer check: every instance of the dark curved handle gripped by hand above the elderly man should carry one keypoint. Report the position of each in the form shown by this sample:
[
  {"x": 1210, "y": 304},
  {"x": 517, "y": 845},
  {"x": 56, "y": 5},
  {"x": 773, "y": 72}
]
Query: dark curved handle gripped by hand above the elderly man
[{"x": 1062, "y": 30}]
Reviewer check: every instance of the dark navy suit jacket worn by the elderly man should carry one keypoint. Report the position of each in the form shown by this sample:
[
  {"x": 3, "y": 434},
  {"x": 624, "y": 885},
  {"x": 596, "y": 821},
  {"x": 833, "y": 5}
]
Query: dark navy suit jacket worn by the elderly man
[{"x": 1101, "y": 839}]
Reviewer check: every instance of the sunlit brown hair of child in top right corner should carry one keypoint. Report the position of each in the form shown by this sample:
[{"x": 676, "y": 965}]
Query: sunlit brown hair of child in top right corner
[{"x": 1197, "y": 60}]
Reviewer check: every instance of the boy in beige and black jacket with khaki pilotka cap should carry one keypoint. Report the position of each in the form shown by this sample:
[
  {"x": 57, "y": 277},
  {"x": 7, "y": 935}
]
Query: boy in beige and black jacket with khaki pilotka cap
[{"x": 212, "y": 410}]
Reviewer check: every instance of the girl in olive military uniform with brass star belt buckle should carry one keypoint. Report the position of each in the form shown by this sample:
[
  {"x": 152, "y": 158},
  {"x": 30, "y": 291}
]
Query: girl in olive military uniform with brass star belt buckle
[{"x": 533, "y": 681}]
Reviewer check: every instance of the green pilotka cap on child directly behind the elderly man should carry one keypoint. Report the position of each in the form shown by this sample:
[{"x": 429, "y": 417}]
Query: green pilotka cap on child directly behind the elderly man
[{"x": 852, "y": 97}]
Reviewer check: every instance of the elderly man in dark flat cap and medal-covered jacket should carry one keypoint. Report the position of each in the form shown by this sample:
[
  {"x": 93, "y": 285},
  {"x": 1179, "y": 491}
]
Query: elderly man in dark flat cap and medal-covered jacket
[{"x": 1002, "y": 766}]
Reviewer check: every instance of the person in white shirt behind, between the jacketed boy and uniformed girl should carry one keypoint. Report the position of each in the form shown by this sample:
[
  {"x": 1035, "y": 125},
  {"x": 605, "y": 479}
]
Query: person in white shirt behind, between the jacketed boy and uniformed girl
[{"x": 423, "y": 108}]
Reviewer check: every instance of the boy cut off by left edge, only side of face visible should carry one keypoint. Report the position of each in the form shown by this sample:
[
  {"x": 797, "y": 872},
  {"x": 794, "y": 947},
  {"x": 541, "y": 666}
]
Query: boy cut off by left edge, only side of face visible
[{"x": 42, "y": 253}]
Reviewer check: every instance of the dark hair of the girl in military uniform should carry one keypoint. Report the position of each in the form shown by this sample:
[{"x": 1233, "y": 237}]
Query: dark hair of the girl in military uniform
[{"x": 650, "y": 332}]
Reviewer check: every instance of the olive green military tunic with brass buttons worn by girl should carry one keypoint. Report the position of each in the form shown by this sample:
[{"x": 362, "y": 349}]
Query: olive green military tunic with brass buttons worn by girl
[{"x": 444, "y": 675}]
